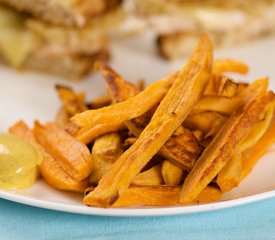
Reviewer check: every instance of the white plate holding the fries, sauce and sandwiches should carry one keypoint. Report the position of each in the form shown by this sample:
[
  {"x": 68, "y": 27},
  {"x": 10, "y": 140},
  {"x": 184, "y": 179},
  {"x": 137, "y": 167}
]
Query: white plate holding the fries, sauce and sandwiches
[{"x": 31, "y": 96}]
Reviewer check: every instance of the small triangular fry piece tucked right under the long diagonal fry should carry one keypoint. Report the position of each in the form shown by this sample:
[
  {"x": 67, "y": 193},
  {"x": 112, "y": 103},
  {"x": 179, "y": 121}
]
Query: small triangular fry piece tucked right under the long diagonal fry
[{"x": 150, "y": 177}]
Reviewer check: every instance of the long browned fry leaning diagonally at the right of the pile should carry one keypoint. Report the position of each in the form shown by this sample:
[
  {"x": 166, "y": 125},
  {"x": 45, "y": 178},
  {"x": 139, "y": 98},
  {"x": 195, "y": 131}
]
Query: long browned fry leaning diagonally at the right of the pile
[{"x": 217, "y": 153}]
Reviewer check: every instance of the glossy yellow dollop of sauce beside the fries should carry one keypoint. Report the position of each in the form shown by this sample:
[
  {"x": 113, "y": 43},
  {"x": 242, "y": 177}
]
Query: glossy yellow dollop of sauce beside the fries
[{"x": 18, "y": 162}]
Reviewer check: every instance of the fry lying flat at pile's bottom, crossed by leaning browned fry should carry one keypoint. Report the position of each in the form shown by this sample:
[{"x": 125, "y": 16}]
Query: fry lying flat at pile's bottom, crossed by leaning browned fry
[{"x": 161, "y": 196}]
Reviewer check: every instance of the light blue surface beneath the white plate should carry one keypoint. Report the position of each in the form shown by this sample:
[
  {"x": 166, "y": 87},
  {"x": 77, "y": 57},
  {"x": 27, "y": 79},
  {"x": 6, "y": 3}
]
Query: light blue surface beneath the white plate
[{"x": 253, "y": 221}]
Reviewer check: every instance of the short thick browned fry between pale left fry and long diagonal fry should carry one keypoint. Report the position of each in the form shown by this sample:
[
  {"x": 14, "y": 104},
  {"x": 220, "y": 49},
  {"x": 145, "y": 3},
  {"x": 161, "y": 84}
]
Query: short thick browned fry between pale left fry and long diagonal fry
[{"x": 106, "y": 150}]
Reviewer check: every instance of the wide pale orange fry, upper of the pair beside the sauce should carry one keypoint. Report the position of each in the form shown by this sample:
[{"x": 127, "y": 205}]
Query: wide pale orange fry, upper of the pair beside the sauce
[{"x": 73, "y": 156}]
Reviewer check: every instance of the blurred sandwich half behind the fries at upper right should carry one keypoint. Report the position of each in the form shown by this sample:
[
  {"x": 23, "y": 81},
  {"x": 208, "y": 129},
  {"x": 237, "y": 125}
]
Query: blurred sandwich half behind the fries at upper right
[{"x": 178, "y": 23}]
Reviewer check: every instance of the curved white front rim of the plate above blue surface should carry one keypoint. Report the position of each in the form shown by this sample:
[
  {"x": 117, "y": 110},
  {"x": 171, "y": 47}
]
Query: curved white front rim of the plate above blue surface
[{"x": 135, "y": 212}]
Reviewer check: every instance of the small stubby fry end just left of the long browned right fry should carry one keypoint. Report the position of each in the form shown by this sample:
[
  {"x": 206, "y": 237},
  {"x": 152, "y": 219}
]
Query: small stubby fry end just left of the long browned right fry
[{"x": 171, "y": 173}]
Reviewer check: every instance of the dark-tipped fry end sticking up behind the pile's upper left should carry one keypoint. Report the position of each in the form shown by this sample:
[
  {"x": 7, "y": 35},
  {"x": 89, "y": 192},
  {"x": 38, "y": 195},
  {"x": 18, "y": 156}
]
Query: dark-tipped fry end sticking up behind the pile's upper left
[{"x": 73, "y": 103}]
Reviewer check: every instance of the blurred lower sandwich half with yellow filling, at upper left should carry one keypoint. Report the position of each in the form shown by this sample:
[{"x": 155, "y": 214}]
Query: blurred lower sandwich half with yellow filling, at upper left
[{"x": 30, "y": 44}]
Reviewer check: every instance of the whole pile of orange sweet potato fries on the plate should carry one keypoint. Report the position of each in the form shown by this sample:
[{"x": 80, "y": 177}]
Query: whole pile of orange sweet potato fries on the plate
[{"x": 184, "y": 139}]
